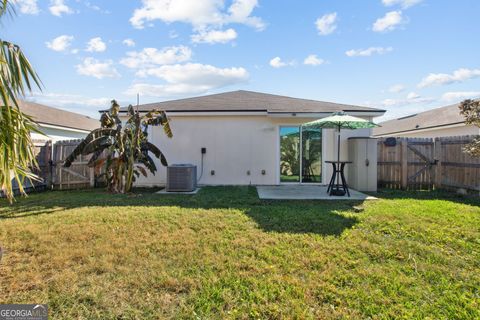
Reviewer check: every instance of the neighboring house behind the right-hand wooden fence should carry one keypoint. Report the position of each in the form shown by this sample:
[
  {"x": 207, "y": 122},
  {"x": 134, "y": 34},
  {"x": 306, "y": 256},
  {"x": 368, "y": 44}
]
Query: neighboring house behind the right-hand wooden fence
[{"x": 440, "y": 122}]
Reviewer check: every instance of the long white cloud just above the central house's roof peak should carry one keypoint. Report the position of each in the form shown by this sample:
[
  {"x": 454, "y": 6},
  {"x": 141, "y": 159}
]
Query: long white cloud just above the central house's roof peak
[{"x": 190, "y": 78}]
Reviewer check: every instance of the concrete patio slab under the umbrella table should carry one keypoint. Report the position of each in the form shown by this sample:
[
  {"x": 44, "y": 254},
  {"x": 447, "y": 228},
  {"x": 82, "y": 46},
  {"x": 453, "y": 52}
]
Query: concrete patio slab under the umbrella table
[{"x": 305, "y": 192}]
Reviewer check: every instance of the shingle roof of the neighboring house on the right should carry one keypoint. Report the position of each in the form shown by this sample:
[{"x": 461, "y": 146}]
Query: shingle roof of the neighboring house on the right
[{"x": 435, "y": 118}]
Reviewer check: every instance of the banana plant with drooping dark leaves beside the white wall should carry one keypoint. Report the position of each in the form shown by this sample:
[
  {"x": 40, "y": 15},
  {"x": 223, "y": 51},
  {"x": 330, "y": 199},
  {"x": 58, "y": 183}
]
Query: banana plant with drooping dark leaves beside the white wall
[{"x": 122, "y": 149}]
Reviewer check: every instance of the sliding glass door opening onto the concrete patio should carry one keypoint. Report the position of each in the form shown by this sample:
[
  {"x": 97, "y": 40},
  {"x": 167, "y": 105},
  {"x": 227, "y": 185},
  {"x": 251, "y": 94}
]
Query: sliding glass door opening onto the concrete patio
[{"x": 300, "y": 155}]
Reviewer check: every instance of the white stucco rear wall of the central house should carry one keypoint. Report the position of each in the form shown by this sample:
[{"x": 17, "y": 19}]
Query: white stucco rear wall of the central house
[{"x": 235, "y": 145}]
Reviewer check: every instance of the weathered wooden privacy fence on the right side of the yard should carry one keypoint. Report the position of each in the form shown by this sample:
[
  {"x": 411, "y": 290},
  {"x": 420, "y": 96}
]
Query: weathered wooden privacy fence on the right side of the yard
[{"x": 427, "y": 163}]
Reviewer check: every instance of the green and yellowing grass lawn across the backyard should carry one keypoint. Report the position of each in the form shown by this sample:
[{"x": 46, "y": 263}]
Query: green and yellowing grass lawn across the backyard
[{"x": 225, "y": 254}]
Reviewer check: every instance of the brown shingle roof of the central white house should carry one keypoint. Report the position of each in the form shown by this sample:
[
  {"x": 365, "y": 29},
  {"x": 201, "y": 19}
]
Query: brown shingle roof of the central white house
[{"x": 251, "y": 101}]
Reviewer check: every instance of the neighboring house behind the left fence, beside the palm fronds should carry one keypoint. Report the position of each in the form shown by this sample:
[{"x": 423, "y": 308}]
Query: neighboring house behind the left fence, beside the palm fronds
[{"x": 57, "y": 124}]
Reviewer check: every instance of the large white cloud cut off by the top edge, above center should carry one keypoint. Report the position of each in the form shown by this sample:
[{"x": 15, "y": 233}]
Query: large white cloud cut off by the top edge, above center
[{"x": 199, "y": 14}]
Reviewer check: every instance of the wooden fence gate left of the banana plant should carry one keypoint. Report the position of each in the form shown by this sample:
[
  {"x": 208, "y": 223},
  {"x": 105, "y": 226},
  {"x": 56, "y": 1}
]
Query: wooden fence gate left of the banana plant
[{"x": 78, "y": 175}]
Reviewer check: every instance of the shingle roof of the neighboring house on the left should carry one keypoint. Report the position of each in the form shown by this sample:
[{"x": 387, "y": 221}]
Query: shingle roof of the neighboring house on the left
[{"x": 56, "y": 117}]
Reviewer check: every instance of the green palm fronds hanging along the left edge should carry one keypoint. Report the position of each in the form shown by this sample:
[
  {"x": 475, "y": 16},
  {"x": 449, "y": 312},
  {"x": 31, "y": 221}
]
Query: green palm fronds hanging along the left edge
[{"x": 17, "y": 76}]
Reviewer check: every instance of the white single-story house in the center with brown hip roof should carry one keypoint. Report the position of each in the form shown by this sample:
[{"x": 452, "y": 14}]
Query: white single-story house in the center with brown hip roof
[{"x": 251, "y": 138}]
